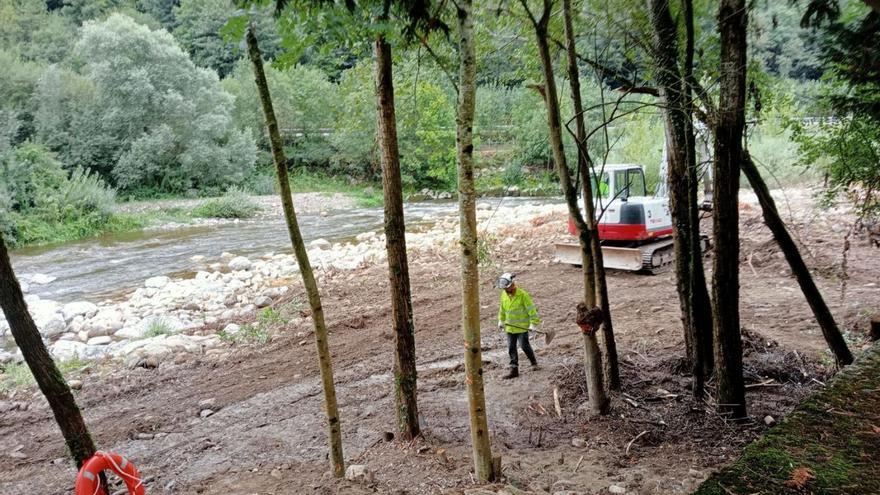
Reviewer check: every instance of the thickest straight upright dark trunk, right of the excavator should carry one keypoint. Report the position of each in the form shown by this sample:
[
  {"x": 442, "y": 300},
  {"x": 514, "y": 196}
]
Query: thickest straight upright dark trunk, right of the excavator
[{"x": 732, "y": 19}]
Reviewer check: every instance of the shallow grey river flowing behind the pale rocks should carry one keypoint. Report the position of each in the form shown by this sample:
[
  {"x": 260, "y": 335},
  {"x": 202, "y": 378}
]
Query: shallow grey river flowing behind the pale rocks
[{"x": 98, "y": 268}]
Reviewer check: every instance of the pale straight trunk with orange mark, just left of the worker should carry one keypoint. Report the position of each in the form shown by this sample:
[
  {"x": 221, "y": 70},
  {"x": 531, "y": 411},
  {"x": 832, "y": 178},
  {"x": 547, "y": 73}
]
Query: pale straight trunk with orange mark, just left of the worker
[{"x": 470, "y": 275}]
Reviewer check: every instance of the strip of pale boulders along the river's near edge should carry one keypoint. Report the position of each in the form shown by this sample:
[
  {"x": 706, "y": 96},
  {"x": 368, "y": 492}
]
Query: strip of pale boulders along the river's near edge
[{"x": 194, "y": 313}]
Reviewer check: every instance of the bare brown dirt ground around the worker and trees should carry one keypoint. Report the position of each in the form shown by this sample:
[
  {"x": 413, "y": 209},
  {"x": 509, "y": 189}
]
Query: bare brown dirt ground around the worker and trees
[{"x": 266, "y": 434}]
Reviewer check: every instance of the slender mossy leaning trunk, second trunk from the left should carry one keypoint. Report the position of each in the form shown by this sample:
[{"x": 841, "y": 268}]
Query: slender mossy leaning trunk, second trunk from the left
[{"x": 334, "y": 430}]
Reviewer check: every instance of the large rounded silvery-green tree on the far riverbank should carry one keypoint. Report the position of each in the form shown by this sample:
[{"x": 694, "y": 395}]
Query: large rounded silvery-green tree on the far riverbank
[{"x": 171, "y": 122}]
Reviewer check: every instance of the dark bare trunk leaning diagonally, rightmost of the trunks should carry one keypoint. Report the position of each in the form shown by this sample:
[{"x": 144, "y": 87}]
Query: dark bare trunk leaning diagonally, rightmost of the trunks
[{"x": 814, "y": 298}]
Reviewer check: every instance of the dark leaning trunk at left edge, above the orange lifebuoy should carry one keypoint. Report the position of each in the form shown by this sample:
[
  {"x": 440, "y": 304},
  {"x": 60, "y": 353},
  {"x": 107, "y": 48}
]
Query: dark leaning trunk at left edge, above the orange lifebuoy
[{"x": 38, "y": 359}]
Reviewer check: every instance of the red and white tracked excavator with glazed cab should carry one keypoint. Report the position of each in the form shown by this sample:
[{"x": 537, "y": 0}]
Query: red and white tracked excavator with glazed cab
[{"x": 635, "y": 229}]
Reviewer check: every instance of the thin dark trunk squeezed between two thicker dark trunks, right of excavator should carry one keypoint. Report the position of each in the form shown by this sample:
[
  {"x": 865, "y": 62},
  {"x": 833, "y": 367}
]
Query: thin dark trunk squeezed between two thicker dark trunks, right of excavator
[{"x": 702, "y": 304}]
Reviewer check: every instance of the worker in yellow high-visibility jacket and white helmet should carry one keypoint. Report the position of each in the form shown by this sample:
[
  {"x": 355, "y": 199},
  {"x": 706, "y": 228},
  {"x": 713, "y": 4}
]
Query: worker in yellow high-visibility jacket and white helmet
[{"x": 517, "y": 316}]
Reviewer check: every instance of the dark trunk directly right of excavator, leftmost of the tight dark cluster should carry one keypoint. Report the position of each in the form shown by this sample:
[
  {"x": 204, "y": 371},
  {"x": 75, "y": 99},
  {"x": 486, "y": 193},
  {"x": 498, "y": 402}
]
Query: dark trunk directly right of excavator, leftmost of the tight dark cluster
[{"x": 685, "y": 229}]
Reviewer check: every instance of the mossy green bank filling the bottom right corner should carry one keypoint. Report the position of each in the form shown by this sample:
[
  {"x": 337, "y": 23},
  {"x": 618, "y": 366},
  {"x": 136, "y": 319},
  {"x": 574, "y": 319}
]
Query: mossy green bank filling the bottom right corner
[{"x": 834, "y": 435}]
